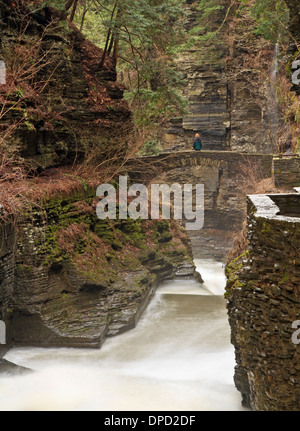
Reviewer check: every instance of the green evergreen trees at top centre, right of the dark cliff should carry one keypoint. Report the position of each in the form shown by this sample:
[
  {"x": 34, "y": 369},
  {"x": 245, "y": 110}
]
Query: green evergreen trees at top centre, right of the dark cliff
[{"x": 140, "y": 36}]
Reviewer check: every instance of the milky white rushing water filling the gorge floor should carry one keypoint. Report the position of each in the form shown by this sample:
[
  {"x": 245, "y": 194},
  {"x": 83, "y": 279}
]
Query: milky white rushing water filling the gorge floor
[{"x": 178, "y": 358}]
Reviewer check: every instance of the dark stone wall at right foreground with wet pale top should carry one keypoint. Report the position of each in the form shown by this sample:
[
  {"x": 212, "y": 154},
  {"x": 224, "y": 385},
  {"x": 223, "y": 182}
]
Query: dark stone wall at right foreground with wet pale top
[{"x": 263, "y": 304}]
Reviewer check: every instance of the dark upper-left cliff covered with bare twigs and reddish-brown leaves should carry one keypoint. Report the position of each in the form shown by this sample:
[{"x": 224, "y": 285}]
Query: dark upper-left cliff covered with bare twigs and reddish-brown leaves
[{"x": 73, "y": 103}]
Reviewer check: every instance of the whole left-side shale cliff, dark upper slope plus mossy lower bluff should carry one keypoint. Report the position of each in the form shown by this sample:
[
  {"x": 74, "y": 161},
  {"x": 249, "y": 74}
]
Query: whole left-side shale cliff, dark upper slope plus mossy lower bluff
[{"x": 66, "y": 277}]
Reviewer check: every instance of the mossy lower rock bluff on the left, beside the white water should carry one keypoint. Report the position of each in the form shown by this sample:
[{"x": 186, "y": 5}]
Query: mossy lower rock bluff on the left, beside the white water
[{"x": 75, "y": 279}]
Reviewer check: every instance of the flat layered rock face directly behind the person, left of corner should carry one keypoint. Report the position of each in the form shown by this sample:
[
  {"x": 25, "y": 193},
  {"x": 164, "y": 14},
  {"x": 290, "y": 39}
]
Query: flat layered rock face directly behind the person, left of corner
[{"x": 205, "y": 90}]
